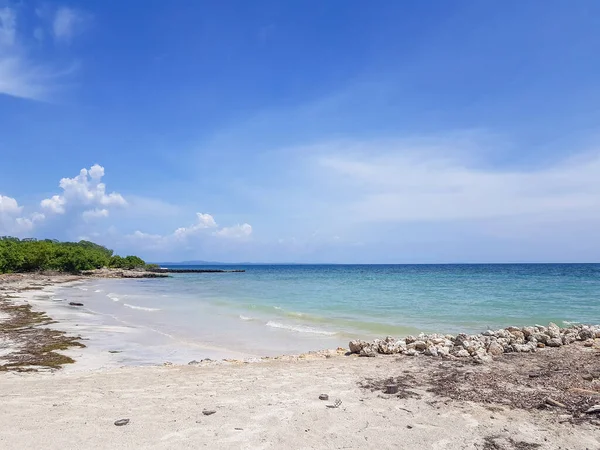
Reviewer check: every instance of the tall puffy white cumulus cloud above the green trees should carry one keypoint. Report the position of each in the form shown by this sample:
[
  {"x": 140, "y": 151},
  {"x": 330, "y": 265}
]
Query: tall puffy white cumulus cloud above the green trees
[{"x": 86, "y": 189}]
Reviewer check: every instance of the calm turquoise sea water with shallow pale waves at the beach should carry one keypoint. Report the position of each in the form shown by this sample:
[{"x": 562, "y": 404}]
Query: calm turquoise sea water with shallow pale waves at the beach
[{"x": 277, "y": 309}]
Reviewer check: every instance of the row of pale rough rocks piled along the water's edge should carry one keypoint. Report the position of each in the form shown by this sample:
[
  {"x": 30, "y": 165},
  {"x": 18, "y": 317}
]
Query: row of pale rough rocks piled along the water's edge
[{"x": 481, "y": 347}]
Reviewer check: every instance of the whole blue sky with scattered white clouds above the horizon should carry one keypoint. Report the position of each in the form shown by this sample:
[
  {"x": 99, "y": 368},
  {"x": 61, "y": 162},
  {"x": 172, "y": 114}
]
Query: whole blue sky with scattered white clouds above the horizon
[{"x": 304, "y": 131}]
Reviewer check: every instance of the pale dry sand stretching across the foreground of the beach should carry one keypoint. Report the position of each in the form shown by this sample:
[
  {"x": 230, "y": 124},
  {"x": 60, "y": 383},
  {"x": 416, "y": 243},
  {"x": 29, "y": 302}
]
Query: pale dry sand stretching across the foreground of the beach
[{"x": 275, "y": 404}]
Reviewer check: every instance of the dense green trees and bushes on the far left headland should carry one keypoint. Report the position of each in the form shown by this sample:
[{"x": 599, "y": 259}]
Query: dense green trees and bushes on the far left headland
[{"x": 31, "y": 255}]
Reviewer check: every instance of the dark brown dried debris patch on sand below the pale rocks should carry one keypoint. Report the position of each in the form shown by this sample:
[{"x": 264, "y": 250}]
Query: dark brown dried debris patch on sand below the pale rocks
[{"x": 568, "y": 376}]
